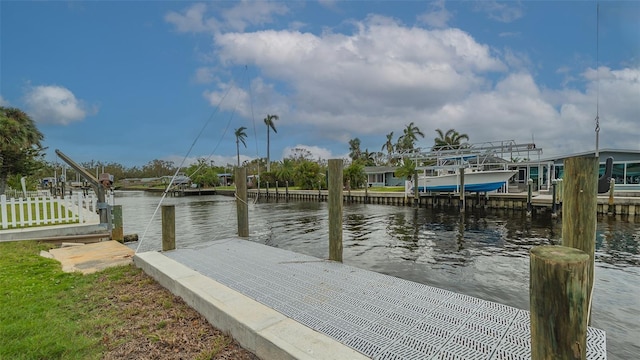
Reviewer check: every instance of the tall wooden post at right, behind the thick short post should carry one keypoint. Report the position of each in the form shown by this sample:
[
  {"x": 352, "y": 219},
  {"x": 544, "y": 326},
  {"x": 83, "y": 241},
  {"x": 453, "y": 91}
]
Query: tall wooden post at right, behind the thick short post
[{"x": 579, "y": 209}]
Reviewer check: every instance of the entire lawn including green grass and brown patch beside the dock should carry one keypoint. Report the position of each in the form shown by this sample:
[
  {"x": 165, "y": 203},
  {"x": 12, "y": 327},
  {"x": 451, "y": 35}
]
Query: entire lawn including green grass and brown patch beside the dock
[{"x": 116, "y": 313}]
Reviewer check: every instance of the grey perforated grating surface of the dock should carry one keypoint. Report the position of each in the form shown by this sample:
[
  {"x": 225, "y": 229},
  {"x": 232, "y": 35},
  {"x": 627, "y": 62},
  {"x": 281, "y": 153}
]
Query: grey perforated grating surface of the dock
[{"x": 378, "y": 315}]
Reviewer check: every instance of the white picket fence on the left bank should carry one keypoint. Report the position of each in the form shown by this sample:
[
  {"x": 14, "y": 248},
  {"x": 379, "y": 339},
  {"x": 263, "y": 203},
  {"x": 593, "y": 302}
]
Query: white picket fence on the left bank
[{"x": 48, "y": 210}]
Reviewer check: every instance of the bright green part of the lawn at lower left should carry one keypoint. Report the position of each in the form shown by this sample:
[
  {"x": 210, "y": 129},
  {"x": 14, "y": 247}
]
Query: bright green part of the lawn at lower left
[{"x": 46, "y": 313}]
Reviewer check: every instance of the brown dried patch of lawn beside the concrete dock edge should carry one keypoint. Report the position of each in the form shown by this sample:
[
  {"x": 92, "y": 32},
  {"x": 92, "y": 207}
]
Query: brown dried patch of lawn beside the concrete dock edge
[{"x": 159, "y": 325}]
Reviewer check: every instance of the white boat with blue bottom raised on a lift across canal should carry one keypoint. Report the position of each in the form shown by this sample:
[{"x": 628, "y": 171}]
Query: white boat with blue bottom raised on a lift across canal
[{"x": 474, "y": 181}]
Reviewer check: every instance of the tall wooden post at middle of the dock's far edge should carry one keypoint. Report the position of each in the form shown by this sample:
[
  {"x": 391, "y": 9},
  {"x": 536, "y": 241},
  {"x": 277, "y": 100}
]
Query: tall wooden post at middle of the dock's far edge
[{"x": 335, "y": 209}]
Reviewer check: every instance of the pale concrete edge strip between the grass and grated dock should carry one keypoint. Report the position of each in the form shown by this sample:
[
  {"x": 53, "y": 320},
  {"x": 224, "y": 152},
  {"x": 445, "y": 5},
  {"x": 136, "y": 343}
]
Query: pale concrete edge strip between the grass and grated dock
[{"x": 258, "y": 328}]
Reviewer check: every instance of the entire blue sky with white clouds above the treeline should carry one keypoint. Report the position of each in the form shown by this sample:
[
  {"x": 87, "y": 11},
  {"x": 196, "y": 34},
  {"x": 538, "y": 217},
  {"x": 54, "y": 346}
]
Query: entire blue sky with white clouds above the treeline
[{"x": 134, "y": 81}]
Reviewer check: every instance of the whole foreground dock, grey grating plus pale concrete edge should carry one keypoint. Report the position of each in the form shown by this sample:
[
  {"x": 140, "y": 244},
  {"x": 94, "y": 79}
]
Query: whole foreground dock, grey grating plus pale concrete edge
[{"x": 285, "y": 305}]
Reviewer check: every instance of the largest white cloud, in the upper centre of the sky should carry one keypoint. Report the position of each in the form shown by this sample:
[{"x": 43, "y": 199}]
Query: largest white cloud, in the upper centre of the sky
[{"x": 359, "y": 82}]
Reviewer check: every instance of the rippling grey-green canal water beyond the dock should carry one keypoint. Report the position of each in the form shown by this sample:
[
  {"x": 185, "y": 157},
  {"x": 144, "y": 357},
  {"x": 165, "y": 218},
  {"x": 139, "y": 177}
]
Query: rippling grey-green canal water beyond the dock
[{"x": 483, "y": 253}]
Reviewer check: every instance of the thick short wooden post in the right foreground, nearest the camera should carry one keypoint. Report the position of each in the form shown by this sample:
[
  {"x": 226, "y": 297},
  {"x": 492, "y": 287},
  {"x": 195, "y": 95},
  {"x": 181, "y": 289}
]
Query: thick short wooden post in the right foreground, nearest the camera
[{"x": 558, "y": 295}]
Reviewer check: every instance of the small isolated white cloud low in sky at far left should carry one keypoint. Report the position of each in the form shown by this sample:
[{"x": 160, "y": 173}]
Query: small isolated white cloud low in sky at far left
[{"x": 55, "y": 105}]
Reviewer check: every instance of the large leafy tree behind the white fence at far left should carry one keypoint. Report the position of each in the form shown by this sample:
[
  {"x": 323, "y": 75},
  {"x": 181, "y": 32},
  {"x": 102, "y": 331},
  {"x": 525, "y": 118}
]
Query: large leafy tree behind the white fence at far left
[{"x": 20, "y": 147}]
